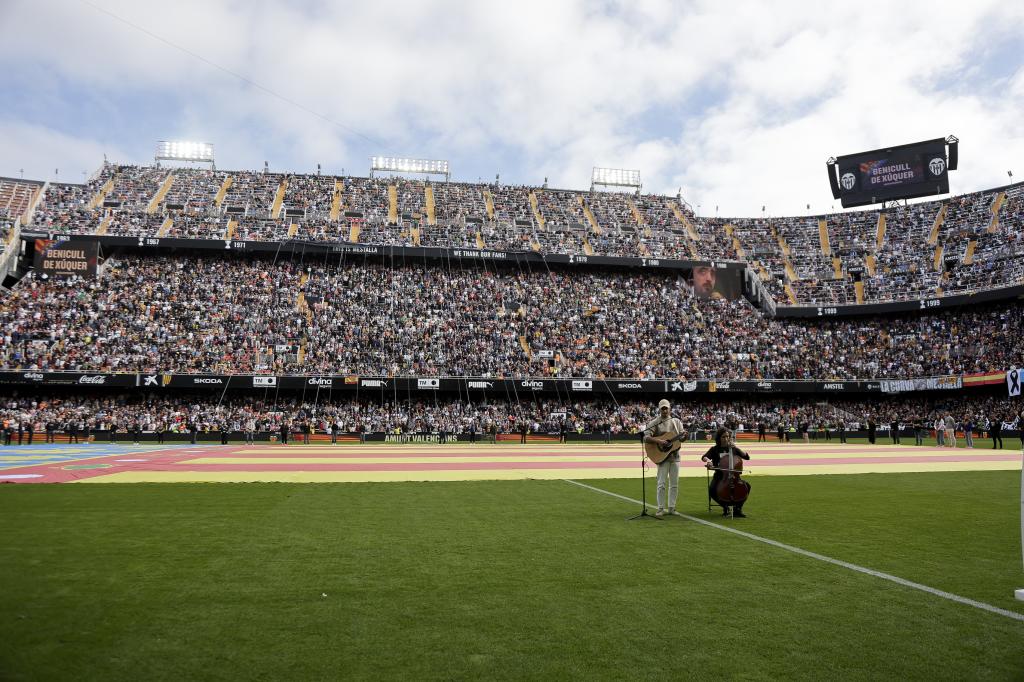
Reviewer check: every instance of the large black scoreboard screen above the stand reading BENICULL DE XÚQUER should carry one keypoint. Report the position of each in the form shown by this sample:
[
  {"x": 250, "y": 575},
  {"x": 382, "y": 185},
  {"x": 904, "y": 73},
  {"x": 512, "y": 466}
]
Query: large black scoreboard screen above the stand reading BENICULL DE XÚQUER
[{"x": 900, "y": 173}]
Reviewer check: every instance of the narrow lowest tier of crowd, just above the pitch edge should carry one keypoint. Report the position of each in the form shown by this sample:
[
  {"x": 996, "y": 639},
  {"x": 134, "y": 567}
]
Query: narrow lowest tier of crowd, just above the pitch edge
[{"x": 183, "y": 414}]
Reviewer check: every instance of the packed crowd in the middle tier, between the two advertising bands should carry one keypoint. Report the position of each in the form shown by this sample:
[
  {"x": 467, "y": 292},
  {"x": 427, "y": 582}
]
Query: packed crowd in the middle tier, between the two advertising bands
[{"x": 230, "y": 314}]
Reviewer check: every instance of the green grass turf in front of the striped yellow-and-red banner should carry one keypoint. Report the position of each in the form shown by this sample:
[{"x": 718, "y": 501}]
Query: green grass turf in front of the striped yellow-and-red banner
[{"x": 523, "y": 580}]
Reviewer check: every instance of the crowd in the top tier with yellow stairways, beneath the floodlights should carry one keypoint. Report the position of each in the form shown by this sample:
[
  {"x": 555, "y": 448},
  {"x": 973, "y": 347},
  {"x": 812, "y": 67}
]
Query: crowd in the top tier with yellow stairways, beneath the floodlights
[{"x": 923, "y": 250}]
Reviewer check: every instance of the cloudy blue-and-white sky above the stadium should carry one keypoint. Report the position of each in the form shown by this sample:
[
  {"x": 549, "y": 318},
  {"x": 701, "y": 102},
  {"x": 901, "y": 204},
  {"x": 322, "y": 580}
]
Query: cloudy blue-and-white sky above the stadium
[{"x": 738, "y": 104}]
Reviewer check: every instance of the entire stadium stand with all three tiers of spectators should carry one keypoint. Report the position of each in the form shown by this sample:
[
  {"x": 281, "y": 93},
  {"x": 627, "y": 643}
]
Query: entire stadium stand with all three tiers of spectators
[{"x": 279, "y": 315}]
